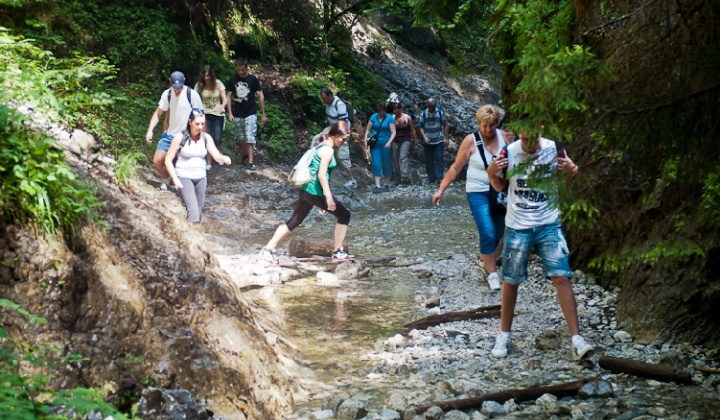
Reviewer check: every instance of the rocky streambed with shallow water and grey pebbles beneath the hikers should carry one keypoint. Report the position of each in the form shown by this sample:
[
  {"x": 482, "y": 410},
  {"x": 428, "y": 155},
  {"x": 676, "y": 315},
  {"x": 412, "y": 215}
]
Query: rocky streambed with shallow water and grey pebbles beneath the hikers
[{"x": 340, "y": 323}]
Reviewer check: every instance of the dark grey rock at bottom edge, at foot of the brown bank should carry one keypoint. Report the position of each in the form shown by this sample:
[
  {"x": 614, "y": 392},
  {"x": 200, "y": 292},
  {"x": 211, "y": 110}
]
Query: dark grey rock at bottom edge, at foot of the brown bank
[{"x": 164, "y": 404}]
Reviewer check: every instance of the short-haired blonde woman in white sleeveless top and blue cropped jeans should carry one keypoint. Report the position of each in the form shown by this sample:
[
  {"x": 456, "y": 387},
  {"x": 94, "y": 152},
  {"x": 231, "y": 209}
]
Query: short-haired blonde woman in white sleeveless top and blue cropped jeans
[{"x": 477, "y": 151}]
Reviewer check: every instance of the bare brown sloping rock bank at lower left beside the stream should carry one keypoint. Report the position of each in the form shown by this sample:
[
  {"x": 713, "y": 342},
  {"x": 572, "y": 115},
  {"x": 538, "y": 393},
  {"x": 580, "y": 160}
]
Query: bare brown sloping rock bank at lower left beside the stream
[{"x": 145, "y": 284}]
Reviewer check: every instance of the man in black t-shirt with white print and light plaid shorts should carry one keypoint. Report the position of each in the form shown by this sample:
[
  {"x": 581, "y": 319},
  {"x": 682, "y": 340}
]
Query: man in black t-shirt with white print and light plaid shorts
[{"x": 243, "y": 111}]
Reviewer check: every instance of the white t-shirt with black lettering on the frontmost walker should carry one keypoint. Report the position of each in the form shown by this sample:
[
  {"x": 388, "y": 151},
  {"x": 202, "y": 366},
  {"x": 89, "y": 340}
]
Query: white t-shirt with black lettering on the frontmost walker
[{"x": 528, "y": 208}]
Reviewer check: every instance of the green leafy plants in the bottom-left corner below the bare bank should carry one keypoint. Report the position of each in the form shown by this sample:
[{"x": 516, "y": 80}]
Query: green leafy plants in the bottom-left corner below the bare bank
[{"x": 25, "y": 371}]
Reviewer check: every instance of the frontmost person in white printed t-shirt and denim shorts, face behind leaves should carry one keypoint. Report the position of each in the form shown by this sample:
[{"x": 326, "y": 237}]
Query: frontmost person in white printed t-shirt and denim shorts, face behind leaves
[{"x": 533, "y": 221}]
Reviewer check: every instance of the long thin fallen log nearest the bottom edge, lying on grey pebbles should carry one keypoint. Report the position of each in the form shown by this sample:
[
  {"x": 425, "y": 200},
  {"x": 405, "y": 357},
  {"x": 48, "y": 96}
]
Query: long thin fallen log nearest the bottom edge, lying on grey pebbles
[{"x": 519, "y": 395}]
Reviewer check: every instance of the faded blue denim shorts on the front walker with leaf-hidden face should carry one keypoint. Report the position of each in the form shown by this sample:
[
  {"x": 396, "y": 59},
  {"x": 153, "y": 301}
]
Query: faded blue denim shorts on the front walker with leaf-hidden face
[{"x": 551, "y": 246}]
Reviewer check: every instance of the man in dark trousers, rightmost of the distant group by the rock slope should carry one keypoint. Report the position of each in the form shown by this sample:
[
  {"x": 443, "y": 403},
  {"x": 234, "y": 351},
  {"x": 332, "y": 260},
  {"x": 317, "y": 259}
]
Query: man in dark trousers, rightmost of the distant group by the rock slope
[{"x": 434, "y": 133}]
